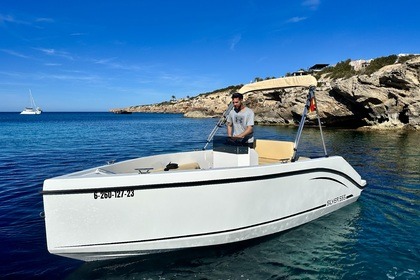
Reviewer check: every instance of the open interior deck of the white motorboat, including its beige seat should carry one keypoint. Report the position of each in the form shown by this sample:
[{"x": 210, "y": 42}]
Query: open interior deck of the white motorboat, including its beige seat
[{"x": 265, "y": 152}]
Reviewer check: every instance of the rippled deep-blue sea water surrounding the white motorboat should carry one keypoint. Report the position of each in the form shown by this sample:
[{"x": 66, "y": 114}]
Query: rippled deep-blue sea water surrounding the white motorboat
[{"x": 378, "y": 237}]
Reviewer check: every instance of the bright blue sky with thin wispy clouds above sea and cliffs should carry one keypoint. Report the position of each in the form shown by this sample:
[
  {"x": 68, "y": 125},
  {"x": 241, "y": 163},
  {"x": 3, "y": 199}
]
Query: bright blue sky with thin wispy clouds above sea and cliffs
[{"x": 97, "y": 55}]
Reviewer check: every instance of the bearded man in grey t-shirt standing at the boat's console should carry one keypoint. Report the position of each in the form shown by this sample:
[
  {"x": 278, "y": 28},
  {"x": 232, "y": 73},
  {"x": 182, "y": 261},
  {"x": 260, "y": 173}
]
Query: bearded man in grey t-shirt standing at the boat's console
[{"x": 240, "y": 121}]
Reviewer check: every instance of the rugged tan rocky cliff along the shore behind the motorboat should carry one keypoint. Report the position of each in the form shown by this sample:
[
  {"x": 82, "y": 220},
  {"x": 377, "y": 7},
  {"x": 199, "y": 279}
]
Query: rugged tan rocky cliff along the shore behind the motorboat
[{"x": 388, "y": 98}]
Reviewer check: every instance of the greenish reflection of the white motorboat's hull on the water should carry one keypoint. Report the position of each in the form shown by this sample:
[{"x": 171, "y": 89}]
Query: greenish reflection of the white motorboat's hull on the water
[{"x": 305, "y": 251}]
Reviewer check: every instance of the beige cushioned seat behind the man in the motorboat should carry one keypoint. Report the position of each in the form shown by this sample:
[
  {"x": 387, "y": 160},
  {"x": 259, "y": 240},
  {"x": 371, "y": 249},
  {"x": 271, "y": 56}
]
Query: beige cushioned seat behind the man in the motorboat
[{"x": 271, "y": 151}]
